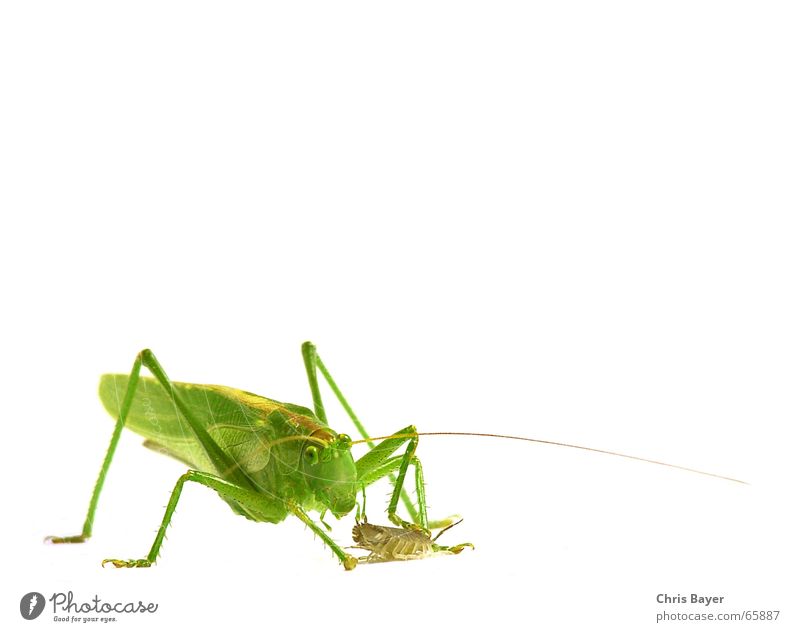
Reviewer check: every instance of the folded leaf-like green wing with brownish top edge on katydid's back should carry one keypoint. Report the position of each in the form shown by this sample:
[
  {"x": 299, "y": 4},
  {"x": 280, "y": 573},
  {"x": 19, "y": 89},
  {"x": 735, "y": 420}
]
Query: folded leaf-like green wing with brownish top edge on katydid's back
[{"x": 244, "y": 425}]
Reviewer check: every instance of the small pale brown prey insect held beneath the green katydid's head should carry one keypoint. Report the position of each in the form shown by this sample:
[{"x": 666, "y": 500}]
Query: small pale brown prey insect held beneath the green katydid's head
[{"x": 387, "y": 544}]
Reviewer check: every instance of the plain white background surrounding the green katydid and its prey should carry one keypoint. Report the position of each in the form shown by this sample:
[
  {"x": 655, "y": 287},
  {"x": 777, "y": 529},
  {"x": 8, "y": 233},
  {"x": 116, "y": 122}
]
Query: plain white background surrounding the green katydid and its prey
[{"x": 572, "y": 221}]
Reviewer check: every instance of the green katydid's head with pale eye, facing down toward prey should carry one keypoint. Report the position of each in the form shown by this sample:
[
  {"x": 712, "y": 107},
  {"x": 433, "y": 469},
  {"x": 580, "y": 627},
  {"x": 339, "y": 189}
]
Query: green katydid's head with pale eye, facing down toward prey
[{"x": 330, "y": 470}]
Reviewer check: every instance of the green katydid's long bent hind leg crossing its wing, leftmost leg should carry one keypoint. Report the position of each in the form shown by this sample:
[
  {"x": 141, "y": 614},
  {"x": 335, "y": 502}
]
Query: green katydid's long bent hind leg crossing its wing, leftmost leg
[{"x": 223, "y": 463}]
